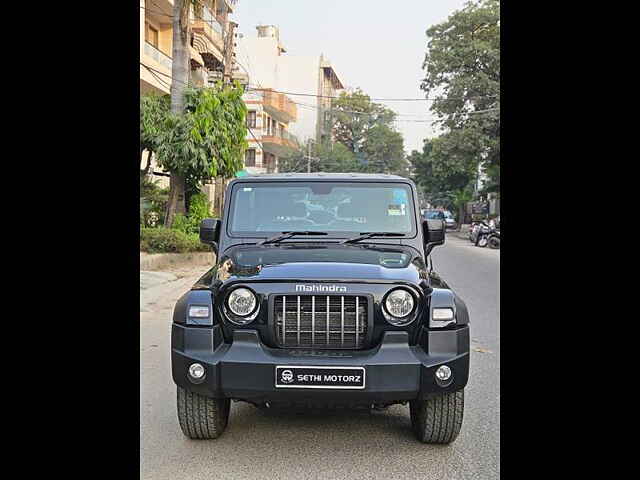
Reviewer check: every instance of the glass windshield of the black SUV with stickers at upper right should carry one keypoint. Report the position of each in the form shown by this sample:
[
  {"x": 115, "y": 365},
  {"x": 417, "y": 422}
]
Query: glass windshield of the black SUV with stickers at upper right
[{"x": 272, "y": 207}]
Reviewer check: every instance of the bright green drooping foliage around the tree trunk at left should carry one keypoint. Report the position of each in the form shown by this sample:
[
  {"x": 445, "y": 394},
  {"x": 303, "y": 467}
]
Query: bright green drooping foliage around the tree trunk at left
[{"x": 208, "y": 140}]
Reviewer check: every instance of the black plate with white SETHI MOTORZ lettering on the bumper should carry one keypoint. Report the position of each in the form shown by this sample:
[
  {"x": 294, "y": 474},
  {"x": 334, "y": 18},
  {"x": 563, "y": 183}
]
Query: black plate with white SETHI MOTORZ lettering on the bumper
[{"x": 296, "y": 376}]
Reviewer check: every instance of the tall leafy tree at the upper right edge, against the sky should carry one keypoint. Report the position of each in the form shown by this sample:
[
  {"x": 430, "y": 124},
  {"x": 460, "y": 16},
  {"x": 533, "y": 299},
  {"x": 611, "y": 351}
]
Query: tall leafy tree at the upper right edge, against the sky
[{"x": 462, "y": 66}]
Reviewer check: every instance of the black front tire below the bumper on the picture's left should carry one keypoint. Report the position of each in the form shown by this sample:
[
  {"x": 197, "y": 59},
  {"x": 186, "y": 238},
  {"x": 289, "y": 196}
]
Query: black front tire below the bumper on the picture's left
[{"x": 202, "y": 417}]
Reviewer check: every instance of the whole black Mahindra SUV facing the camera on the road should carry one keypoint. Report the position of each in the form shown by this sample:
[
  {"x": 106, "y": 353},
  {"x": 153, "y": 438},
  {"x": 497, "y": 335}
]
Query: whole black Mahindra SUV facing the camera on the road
[{"x": 321, "y": 296}]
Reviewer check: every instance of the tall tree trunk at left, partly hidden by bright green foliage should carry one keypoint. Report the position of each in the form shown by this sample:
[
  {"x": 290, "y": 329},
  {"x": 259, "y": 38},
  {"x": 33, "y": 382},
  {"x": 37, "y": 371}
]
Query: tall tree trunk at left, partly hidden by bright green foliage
[{"x": 179, "y": 80}]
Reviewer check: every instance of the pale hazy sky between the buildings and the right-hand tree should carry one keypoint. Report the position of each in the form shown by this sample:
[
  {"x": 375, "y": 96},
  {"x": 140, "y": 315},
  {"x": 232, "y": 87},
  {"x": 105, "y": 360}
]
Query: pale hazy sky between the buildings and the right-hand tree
[{"x": 376, "y": 45}]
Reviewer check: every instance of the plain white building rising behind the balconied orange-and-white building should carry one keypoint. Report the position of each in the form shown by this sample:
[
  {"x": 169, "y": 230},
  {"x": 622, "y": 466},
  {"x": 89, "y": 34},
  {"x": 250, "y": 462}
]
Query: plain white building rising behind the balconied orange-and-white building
[{"x": 269, "y": 66}]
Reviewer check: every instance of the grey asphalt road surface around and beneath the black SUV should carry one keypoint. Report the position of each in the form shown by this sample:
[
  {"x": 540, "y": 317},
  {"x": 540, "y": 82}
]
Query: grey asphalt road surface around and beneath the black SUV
[{"x": 352, "y": 445}]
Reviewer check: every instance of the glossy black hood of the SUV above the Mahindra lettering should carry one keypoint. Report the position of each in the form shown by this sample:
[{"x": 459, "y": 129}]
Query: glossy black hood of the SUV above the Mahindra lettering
[{"x": 335, "y": 262}]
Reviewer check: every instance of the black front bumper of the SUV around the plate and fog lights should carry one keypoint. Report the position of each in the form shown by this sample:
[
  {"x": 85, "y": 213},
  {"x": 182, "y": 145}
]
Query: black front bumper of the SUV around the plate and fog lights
[{"x": 245, "y": 368}]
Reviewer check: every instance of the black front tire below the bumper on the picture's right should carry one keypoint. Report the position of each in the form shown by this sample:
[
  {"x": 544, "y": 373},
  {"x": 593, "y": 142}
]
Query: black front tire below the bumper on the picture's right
[{"x": 438, "y": 419}]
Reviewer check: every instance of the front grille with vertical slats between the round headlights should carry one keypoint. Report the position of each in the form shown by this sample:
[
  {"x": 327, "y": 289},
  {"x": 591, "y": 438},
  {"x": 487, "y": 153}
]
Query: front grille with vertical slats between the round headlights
[{"x": 320, "y": 321}]
